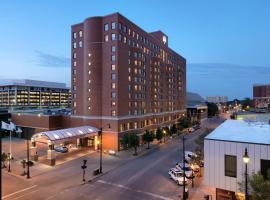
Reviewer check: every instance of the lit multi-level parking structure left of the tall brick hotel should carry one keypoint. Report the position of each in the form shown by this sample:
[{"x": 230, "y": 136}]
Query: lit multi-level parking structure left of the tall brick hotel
[{"x": 24, "y": 93}]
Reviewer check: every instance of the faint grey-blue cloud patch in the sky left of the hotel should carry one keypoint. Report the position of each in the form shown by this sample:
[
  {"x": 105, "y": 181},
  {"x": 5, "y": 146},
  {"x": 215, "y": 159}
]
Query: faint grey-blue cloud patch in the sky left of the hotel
[{"x": 49, "y": 60}]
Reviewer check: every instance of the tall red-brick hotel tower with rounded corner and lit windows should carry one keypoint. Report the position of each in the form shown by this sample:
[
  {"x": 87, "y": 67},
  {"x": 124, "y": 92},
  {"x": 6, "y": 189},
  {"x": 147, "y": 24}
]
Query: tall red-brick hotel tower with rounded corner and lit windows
[{"x": 124, "y": 76}]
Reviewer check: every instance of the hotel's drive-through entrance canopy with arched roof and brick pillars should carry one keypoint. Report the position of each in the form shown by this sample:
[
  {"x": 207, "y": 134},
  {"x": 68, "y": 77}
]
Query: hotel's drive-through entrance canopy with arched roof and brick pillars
[{"x": 63, "y": 142}]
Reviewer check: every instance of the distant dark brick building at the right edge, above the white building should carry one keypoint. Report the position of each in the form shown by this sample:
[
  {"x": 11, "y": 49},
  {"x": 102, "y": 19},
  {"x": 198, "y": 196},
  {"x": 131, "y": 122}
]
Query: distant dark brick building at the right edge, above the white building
[{"x": 261, "y": 96}]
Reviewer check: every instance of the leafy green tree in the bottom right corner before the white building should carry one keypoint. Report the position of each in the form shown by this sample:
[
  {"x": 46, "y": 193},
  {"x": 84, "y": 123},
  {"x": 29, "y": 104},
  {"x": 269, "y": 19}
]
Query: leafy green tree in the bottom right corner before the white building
[{"x": 260, "y": 187}]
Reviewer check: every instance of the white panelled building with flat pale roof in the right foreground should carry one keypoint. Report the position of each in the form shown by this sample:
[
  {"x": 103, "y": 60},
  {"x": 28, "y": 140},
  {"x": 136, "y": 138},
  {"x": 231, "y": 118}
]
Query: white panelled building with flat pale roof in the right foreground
[{"x": 223, "y": 153}]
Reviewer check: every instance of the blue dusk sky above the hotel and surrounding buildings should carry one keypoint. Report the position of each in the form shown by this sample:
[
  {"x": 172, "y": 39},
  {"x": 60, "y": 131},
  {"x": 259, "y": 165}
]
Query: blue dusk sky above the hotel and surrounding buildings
[{"x": 226, "y": 43}]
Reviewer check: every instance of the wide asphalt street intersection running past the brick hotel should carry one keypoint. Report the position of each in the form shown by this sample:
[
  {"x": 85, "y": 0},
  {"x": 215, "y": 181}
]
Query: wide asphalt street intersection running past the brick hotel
[{"x": 142, "y": 177}]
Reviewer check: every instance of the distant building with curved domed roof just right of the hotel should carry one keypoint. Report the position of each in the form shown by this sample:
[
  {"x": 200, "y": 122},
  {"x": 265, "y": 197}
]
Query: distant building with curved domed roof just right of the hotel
[{"x": 196, "y": 107}]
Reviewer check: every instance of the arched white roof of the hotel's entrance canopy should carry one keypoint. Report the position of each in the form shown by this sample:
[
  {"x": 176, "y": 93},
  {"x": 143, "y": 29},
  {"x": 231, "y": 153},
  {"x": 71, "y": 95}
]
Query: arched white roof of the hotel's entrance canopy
[{"x": 63, "y": 134}]
